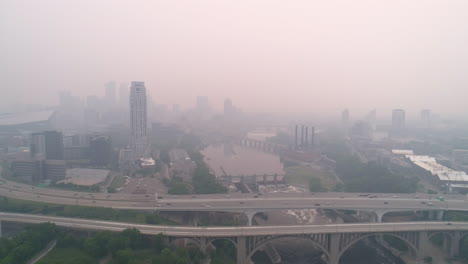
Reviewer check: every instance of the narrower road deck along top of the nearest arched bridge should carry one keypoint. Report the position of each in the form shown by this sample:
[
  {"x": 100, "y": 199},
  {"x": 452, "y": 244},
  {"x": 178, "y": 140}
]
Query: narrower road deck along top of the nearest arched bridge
[{"x": 235, "y": 231}]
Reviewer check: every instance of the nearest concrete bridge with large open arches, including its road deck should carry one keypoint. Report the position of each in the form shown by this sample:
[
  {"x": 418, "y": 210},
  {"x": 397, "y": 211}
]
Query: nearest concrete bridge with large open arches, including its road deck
[{"x": 332, "y": 240}]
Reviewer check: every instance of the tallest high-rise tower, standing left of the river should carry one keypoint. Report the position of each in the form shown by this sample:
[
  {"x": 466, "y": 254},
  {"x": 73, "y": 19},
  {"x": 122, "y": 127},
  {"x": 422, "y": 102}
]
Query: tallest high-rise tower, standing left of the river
[{"x": 138, "y": 119}]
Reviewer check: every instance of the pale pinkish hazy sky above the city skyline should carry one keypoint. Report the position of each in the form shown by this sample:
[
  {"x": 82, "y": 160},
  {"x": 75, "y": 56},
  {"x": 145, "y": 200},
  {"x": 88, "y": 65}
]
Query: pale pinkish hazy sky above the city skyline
[{"x": 297, "y": 55}]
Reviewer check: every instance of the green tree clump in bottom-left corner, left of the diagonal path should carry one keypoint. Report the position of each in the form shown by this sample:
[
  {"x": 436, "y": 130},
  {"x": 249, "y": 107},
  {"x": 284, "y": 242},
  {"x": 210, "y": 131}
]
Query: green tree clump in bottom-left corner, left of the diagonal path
[{"x": 21, "y": 248}]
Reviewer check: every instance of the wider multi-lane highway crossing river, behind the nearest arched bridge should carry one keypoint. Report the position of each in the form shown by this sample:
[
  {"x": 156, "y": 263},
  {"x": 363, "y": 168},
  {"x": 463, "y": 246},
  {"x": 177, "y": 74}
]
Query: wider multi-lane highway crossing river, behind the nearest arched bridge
[{"x": 237, "y": 202}]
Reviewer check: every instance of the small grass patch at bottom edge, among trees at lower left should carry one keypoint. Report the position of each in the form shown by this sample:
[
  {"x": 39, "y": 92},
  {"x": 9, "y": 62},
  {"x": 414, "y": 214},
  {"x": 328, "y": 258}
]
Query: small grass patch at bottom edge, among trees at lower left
[{"x": 69, "y": 256}]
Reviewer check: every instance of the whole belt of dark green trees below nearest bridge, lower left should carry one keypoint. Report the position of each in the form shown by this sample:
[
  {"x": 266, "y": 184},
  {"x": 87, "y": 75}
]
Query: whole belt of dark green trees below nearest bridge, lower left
[{"x": 126, "y": 247}]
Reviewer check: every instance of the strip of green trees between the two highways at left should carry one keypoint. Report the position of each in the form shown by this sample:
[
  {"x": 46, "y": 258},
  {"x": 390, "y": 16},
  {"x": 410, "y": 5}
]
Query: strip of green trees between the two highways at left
[{"x": 101, "y": 213}]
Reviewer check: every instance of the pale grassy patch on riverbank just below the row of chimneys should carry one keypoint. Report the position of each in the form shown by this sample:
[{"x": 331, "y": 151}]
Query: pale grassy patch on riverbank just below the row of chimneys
[{"x": 301, "y": 175}]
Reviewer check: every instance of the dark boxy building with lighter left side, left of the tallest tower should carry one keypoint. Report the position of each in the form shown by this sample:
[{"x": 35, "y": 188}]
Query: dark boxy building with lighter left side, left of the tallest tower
[{"x": 47, "y": 145}]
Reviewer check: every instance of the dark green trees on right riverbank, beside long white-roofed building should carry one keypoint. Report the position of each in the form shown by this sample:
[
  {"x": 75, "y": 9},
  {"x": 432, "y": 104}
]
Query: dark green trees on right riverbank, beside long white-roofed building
[{"x": 372, "y": 177}]
